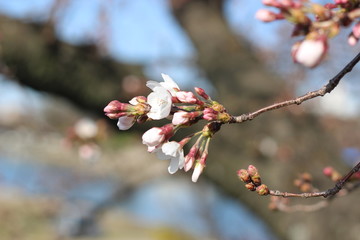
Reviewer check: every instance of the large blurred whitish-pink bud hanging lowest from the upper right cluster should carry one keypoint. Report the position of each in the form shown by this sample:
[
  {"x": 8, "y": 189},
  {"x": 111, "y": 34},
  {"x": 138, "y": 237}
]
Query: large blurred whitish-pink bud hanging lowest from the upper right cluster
[{"x": 310, "y": 52}]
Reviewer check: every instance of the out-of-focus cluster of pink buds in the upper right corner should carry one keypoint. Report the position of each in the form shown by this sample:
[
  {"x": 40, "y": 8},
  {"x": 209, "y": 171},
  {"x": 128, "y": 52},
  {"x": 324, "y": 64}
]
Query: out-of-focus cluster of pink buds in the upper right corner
[{"x": 316, "y": 22}]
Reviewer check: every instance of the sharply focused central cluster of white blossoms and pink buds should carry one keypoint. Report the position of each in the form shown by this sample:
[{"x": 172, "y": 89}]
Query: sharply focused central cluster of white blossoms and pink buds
[{"x": 185, "y": 108}]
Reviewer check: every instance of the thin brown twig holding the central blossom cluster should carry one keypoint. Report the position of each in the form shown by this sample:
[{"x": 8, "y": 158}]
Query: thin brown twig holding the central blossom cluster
[{"x": 310, "y": 95}]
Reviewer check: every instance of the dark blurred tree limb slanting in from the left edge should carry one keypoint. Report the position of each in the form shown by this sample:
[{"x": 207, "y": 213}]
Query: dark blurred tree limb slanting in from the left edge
[{"x": 36, "y": 58}]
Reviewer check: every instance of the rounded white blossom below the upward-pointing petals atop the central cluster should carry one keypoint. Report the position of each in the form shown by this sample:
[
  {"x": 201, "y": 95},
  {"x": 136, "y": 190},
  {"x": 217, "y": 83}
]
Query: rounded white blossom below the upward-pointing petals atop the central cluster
[{"x": 160, "y": 102}]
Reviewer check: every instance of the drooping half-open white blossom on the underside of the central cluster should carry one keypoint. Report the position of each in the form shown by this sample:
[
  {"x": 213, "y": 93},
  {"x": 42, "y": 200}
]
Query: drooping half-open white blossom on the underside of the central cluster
[{"x": 174, "y": 152}]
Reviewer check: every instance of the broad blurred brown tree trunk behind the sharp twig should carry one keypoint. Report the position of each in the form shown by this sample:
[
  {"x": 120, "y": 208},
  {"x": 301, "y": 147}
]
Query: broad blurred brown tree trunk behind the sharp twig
[{"x": 244, "y": 85}]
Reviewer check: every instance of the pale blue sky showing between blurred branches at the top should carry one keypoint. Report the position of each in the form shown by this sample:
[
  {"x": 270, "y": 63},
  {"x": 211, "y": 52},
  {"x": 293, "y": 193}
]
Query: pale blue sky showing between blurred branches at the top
[{"x": 145, "y": 32}]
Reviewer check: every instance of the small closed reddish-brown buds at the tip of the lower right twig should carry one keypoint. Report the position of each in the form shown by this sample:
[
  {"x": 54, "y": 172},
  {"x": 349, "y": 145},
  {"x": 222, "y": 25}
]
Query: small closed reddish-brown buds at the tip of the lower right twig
[{"x": 252, "y": 180}]
